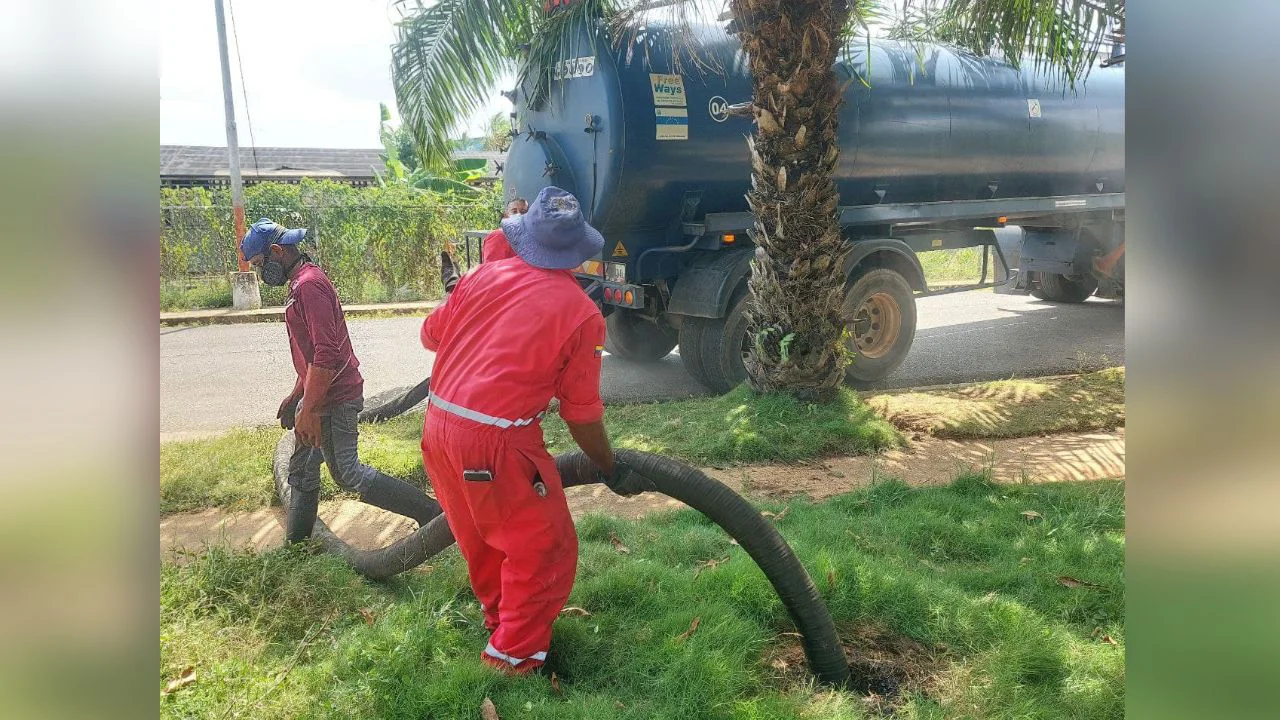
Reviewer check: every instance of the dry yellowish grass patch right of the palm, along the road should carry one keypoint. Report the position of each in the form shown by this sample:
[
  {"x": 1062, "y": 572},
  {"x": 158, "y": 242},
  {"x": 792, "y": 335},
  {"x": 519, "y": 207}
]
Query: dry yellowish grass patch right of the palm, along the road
[{"x": 1091, "y": 402}]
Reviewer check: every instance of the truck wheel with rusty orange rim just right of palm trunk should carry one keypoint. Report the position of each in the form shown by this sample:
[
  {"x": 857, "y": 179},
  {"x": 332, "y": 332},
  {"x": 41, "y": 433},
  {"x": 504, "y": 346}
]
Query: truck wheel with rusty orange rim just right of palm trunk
[{"x": 880, "y": 312}]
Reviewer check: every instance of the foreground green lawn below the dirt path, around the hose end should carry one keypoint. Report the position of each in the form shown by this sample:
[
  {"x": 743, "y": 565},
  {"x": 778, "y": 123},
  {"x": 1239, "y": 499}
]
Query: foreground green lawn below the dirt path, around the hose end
[{"x": 959, "y": 571}]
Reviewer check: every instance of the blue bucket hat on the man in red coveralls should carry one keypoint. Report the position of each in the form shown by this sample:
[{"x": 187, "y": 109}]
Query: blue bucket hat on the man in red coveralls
[{"x": 554, "y": 235}]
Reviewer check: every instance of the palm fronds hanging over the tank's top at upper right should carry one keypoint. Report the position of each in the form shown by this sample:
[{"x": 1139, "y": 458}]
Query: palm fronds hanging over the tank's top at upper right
[{"x": 1060, "y": 37}]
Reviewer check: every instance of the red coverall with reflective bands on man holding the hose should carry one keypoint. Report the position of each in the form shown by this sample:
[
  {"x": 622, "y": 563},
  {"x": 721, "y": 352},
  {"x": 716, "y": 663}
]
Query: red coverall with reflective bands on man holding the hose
[{"x": 509, "y": 339}]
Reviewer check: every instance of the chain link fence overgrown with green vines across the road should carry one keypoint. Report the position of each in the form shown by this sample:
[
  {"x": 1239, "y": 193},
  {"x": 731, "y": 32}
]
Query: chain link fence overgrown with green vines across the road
[{"x": 374, "y": 253}]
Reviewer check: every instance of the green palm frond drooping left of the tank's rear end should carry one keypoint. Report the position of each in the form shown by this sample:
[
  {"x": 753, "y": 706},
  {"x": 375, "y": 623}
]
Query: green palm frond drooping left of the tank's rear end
[{"x": 447, "y": 62}]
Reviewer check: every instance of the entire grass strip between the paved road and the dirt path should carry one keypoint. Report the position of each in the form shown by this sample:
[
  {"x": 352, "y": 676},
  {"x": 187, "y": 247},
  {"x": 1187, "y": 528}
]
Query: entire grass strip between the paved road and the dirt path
[{"x": 235, "y": 471}]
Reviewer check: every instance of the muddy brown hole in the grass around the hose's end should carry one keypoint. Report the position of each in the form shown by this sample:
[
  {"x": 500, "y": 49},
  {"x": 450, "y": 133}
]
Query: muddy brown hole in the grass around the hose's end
[{"x": 885, "y": 668}]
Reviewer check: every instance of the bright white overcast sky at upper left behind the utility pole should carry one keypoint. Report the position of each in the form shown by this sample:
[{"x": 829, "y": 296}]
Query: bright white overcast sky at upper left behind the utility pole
[{"x": 316, "y": 72}]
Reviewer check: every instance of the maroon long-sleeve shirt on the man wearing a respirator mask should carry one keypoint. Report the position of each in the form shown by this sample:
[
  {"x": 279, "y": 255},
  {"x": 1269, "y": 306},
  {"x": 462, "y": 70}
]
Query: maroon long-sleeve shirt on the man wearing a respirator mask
[{"x": 318, "y": 335}]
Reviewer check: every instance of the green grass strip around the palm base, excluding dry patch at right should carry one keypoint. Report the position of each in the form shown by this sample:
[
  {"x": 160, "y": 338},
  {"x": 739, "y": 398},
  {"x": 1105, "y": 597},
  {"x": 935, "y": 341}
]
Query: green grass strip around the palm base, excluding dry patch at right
[{"x": 235, "y": 471}]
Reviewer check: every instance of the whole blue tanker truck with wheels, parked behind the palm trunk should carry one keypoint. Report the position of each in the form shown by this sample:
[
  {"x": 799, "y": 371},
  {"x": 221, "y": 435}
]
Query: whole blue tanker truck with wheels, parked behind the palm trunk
[{"x": 940, "y": 151}]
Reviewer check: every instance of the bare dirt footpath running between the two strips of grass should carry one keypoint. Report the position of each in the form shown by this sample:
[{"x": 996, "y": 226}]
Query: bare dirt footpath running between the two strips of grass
[{"x": 1073, "y": 457}]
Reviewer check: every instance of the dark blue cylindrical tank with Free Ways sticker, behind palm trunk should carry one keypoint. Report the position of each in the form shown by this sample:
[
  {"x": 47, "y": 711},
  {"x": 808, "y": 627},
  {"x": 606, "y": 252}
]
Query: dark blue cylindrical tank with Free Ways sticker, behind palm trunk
[{"x": 633, "y": 136}]
